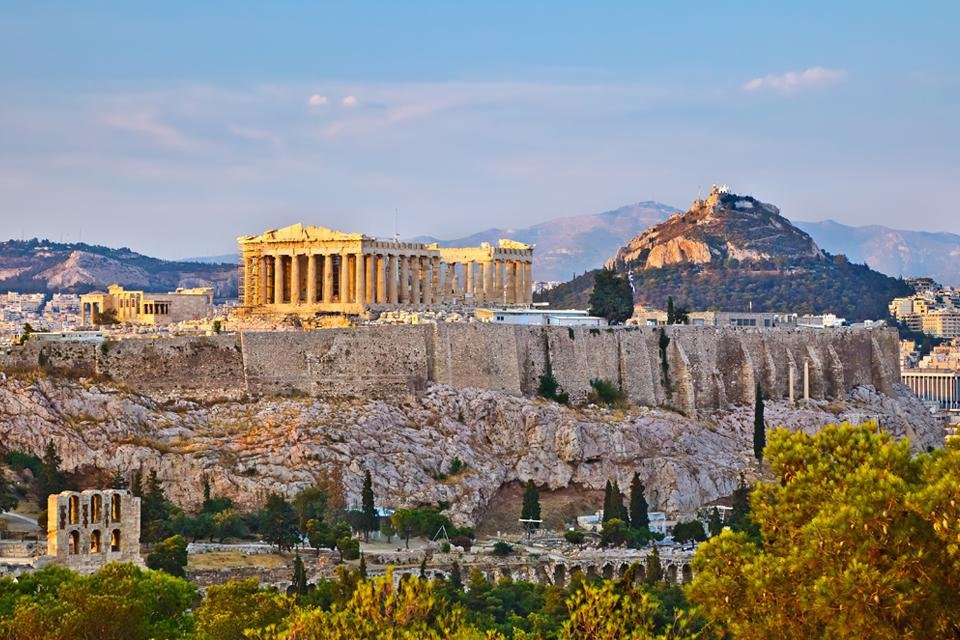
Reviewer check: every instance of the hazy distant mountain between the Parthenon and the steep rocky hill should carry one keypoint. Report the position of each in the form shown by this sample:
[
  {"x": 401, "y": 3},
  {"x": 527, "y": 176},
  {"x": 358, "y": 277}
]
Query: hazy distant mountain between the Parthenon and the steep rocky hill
[{"x": 571, "y": 245}]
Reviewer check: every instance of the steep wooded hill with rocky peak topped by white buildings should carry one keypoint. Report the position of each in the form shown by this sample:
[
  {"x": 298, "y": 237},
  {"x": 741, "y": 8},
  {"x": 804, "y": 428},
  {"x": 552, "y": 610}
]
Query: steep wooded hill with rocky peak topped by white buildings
[{"x": 730, "y": 252}]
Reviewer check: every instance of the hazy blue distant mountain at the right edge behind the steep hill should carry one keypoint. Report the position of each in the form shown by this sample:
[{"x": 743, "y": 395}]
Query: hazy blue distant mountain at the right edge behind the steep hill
[{"x": 892, "y": 251}]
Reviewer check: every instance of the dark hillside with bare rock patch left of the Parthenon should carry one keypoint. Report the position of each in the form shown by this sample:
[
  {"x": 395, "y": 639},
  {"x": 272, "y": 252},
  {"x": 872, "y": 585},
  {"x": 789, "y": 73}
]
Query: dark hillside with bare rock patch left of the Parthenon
[{"x": 36, "y": 266}]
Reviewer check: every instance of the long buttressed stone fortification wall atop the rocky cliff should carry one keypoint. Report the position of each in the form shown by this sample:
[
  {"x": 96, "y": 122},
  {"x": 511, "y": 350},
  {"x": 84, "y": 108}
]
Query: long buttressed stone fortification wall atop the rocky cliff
[{"x": 687, "y": 368}]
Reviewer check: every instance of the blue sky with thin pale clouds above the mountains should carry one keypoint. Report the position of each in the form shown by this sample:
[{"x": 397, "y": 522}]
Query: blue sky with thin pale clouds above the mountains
[{"x": 174, "y": 127}]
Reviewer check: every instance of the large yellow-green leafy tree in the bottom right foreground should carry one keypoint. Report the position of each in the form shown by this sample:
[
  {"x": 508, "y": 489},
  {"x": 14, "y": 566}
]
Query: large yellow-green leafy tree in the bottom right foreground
[{"x": 866, "y": 548}]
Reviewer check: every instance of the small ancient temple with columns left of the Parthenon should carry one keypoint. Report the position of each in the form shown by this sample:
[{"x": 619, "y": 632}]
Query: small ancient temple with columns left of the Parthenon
[{"x": 139, "y": 307}]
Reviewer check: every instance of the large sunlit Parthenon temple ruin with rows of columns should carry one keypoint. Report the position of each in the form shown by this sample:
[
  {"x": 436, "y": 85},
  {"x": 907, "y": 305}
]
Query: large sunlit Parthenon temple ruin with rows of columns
[{"x": 306, "y": 269}]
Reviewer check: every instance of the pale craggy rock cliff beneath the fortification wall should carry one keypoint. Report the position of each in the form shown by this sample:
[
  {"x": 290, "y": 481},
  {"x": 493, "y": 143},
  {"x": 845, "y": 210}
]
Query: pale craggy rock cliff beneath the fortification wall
[{"x": 250, "y": 448}]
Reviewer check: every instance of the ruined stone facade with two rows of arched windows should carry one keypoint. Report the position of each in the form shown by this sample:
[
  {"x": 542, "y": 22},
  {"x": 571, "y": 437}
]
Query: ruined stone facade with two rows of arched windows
[{"x": 87, "y": 529}]
